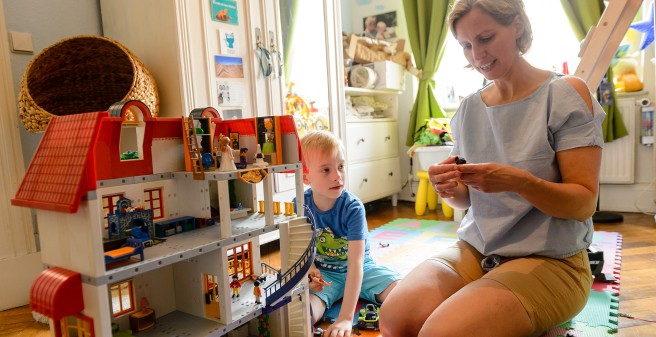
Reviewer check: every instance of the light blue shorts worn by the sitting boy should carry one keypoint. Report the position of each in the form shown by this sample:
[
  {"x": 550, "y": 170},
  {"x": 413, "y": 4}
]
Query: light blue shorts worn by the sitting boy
[{"x": 375, "y": 280}]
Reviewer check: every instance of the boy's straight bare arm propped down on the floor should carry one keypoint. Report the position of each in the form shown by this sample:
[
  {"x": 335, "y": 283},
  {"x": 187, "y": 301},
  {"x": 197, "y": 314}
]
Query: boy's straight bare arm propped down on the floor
[{"x": 352, "y": 287}]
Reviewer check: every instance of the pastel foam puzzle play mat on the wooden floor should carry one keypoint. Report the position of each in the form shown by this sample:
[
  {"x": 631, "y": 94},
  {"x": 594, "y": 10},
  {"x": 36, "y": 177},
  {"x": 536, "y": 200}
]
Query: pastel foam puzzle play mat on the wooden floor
[{"x": 404, "y": 243}]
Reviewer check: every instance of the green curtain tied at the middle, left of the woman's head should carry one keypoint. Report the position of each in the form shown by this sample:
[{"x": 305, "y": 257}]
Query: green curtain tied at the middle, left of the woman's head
[{"x": 427, "y": 28}]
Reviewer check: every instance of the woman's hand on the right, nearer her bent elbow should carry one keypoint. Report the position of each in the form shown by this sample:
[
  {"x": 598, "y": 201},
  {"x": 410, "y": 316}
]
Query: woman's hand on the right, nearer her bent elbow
[{"x": 491, "y": 177}]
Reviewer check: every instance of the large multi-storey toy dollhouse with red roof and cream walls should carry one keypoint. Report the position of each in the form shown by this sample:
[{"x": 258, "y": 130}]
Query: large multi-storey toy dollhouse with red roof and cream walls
[{"x": 138, "y": 233}]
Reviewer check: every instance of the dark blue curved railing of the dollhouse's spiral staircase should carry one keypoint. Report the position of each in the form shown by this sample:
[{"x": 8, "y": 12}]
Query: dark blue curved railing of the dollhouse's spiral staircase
[{"x": 296, "y": 273}]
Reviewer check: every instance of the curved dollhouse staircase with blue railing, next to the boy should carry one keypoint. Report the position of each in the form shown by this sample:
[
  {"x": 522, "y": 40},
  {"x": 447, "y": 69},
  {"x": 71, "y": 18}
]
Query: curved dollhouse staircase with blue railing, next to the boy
[{"x": 302, "y": 248}]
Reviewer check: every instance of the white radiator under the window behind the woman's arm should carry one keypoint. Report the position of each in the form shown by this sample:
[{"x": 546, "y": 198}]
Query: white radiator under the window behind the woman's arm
[{"x": 618, "y": 158}]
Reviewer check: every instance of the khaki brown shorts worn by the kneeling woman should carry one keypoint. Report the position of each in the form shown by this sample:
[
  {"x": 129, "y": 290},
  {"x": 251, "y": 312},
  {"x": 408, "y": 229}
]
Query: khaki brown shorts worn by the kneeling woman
[{"x": 552, "y": 290}]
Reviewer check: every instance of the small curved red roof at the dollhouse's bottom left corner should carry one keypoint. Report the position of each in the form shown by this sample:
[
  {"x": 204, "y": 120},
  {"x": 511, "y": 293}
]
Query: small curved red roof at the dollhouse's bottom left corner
[{"x": 57, "y": 293}]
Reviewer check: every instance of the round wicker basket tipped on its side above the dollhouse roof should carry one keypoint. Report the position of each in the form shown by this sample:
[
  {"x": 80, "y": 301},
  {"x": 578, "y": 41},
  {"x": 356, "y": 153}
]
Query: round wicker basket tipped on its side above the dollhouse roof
[{"x": 82, "y": 74}]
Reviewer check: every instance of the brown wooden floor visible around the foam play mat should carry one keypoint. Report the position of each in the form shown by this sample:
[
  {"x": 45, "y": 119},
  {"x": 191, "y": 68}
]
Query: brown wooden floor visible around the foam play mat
[{"x": 638, "y": 273}]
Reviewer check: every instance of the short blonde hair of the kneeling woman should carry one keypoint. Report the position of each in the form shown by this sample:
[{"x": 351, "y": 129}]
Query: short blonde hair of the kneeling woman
[{"x": 502, "y": 11}]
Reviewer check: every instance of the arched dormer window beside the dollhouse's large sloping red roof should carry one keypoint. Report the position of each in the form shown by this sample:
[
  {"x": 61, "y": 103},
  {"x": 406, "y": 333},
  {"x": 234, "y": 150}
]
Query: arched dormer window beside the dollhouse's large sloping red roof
[{"x": 132, "y": 134}]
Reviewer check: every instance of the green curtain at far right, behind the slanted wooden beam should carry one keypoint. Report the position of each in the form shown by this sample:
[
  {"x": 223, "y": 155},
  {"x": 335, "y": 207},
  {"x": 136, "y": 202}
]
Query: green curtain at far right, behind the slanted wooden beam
[{"x": 582, "y": 15}]
